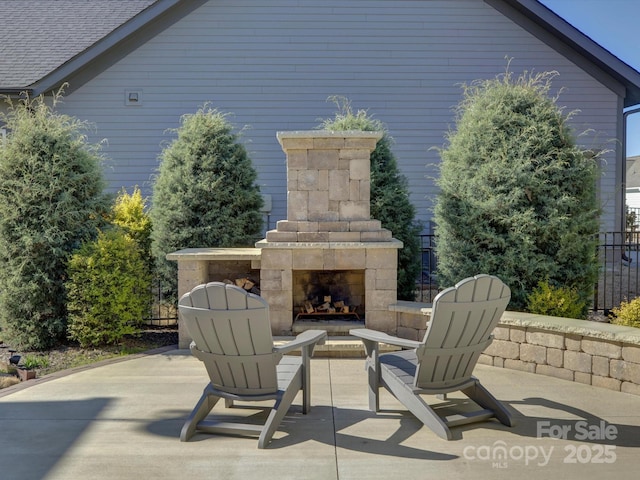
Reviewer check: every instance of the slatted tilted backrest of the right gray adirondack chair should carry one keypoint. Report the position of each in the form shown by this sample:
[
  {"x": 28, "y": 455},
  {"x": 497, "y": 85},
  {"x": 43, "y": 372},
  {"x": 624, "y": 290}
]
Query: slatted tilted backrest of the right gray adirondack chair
[{"x": 462, "y": 320}]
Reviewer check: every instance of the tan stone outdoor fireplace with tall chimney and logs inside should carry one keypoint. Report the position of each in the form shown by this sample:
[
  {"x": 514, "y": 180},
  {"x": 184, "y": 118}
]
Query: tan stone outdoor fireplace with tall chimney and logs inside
[{"x": 329, "y": 253}]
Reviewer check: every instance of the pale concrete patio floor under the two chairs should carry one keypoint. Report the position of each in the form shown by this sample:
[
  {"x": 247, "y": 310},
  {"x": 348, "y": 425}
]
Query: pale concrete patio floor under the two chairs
[{"x": 122, "y": 420}]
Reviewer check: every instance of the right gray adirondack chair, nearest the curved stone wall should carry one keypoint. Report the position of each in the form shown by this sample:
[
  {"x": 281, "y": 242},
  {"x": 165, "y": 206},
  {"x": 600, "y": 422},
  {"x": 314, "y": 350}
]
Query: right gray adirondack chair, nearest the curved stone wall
[{"x": 462, "y": 320}]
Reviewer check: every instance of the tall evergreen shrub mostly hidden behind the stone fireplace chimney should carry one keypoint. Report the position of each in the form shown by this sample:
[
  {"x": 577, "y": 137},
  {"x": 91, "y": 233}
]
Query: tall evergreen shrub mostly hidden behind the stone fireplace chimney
[{"x": 390, "y": 201}]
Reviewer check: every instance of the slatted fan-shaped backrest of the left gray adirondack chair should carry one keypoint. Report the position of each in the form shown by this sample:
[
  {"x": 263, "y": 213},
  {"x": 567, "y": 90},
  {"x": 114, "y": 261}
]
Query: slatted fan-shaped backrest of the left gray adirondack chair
[{"x": 231, "y": 334}]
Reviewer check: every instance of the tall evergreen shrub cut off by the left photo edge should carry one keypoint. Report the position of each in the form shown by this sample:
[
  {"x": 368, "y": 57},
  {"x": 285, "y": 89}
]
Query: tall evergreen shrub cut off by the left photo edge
[{"x": 51, "y": 200}]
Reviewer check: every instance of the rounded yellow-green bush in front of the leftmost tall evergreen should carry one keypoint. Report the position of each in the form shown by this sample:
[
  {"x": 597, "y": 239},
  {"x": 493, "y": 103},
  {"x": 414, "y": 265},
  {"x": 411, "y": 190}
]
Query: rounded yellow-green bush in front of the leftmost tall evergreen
[{"x": 108, "y": 289}]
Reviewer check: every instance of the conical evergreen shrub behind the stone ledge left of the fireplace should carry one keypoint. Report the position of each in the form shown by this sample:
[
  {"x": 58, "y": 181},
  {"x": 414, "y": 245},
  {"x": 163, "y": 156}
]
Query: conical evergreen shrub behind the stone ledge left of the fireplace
[{"x": 205, "y": 193}]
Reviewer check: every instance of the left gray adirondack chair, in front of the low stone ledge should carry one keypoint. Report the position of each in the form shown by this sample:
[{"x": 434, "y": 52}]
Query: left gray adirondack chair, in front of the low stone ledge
[{"x": 232, "y": 337}]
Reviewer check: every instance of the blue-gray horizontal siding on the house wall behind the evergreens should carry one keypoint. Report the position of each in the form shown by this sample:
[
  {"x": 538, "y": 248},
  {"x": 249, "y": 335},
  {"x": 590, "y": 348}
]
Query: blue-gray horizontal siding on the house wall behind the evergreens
[{"x": 273, "y": 65}]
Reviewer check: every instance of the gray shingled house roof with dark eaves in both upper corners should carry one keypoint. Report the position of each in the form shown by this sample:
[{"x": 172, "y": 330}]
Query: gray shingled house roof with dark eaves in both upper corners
[{"x": 42, "y": 42}]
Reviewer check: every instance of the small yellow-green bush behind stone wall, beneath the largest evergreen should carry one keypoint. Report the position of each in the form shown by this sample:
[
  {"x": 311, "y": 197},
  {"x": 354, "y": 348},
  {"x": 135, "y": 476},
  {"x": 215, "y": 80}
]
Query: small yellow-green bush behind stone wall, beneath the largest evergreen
[{"x": 556, "y": 301}]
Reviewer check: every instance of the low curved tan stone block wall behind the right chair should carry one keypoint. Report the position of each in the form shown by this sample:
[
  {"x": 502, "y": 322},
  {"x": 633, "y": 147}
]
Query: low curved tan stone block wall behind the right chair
[{"x": 598, "y": 354}]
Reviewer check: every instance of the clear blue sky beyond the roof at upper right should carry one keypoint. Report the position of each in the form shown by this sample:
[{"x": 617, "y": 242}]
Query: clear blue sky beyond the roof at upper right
[{"x": 612, "y": 24}]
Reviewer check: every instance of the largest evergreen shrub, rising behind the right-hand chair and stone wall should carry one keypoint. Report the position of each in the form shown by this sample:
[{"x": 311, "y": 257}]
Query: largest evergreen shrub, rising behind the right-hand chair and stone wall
[{"x": 517, "y": 195}]
